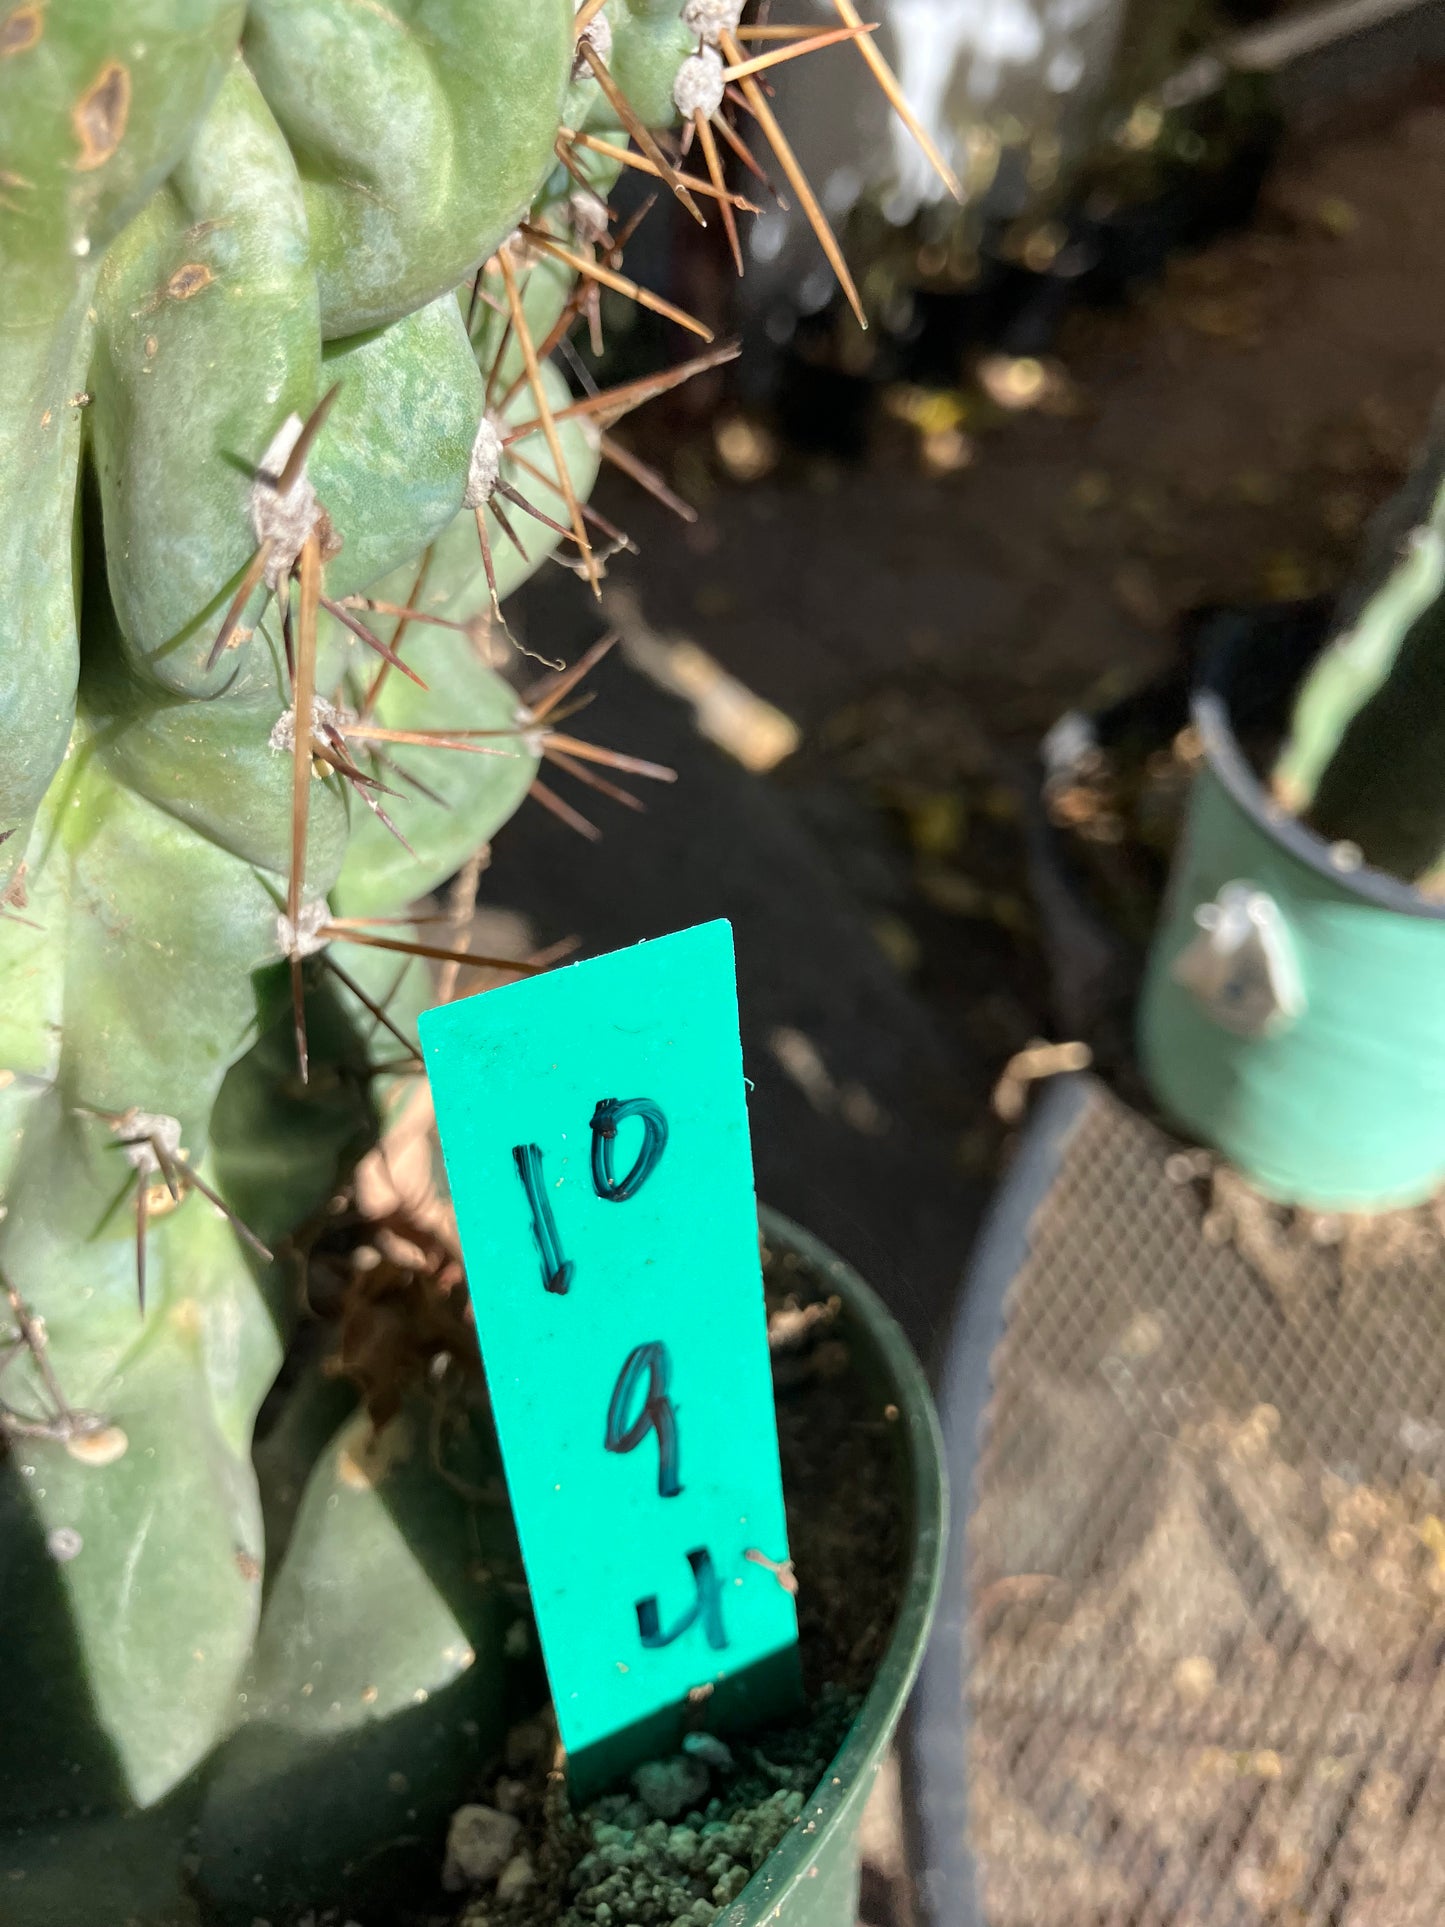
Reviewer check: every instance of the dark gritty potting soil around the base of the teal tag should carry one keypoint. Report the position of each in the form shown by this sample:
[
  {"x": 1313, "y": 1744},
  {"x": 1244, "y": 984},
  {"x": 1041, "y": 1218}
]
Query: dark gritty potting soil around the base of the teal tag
[{"x": 689, "y": 1834}]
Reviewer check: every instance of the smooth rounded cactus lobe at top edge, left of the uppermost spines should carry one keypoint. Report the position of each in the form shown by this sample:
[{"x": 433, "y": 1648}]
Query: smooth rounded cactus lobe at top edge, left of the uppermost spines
[{"x": 421, "y": 130}]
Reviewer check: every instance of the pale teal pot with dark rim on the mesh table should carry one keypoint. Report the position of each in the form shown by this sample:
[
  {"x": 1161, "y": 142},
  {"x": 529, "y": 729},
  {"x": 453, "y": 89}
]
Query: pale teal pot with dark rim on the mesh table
[{"x": 1294, "y": 1007}]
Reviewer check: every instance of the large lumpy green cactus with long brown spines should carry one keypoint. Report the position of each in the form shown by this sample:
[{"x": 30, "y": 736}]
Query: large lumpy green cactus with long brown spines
[{"x": 280, "y": 429}]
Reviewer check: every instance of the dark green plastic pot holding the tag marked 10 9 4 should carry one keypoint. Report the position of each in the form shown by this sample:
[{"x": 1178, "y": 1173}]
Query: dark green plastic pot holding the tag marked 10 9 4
[{"x": 812, "y": 1878}]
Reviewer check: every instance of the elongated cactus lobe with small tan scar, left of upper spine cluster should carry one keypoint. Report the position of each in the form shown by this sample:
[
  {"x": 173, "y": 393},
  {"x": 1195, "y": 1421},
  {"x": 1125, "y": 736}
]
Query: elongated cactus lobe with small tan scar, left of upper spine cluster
[{"x": 209, "y": 336}]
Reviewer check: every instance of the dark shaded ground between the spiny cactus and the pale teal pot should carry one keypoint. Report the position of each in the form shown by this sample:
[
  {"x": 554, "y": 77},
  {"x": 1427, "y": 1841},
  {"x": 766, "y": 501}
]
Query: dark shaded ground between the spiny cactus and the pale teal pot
[{"x": 1221, "y": 438}]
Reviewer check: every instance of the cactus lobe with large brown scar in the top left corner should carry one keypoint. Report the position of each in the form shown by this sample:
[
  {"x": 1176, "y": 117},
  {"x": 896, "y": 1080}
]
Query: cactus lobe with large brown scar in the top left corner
[{"x": 97, "y": 105}]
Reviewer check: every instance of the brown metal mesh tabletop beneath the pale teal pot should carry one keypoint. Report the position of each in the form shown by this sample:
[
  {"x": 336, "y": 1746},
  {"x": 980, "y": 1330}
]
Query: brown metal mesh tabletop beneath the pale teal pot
[{"x": 1209, "y": 1560}]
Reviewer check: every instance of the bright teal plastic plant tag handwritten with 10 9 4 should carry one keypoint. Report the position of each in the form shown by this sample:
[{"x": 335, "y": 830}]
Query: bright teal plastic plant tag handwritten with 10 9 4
[{"x": 594, "y": 1126}]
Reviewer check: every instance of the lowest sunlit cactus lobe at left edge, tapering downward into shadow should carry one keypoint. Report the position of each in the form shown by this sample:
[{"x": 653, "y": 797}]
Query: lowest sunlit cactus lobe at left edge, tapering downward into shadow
[{"x": 134, "y": 1544}]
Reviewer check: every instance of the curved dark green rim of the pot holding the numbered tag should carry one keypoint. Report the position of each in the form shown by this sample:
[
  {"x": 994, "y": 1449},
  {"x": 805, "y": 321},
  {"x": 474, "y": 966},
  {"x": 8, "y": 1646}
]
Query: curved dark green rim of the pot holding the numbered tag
[{"x": 797, "y": 1857}]
